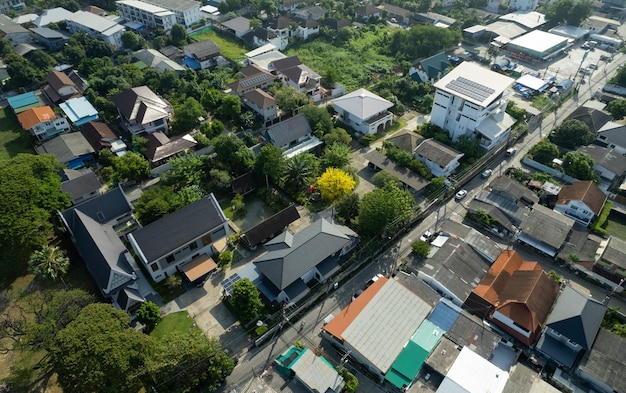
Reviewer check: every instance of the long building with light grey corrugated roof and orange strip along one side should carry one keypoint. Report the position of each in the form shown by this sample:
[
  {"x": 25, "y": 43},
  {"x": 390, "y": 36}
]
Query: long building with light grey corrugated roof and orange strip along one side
[{"x": 377, "y": 326}]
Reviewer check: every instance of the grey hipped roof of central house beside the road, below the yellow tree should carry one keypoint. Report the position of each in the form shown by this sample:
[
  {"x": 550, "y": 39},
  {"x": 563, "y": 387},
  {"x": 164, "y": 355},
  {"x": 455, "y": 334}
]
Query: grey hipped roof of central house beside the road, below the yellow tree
[{"x": 309, "y": 247}]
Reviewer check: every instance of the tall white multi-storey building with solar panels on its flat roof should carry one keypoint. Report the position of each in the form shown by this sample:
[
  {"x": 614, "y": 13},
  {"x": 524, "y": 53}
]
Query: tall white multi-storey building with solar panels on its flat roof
[{"x": 469, "y": 101}]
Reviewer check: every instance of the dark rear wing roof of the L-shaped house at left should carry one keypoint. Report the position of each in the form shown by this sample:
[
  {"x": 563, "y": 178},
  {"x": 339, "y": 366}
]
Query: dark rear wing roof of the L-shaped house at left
[{"x": 104, "y": 208}]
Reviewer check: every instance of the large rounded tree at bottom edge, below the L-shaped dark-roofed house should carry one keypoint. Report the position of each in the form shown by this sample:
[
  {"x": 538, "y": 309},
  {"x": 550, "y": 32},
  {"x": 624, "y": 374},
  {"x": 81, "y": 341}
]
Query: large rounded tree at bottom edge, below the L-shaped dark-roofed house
[{"x": 97, "y": 352}]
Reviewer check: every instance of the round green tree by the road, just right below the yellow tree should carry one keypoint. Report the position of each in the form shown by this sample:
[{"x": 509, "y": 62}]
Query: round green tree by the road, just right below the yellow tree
[{"x": 384, "y": 210}]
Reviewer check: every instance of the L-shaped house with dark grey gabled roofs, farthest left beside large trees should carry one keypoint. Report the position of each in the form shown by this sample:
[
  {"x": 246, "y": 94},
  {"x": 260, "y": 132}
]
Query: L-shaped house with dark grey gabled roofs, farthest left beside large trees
[{"x": 92, "y": 228}]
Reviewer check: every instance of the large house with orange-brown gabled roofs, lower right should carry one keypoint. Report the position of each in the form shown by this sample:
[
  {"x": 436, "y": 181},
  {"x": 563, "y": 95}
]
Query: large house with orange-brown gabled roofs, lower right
[{"x": 516, "y": 295}]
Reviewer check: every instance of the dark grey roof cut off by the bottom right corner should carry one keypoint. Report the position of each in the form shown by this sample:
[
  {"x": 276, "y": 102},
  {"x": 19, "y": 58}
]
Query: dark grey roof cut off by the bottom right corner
[{"x": 606, "y": 360}]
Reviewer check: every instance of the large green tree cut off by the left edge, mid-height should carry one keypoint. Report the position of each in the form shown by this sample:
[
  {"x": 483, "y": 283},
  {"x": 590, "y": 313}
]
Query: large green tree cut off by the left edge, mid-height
[{"x": 31, "y": 195}]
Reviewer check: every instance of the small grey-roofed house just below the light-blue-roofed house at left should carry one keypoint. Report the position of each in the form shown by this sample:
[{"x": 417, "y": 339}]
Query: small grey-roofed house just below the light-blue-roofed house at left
[{"x": 70, "y": 149}]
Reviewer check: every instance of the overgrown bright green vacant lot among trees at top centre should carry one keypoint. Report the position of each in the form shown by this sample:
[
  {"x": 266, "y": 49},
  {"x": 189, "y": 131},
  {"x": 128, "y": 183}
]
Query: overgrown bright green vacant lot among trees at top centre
[{"x": 358, "y": 62}]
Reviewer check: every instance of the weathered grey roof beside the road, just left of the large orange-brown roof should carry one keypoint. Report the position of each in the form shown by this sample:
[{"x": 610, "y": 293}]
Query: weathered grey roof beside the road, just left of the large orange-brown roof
[{"x": 457, "y": 267}]
